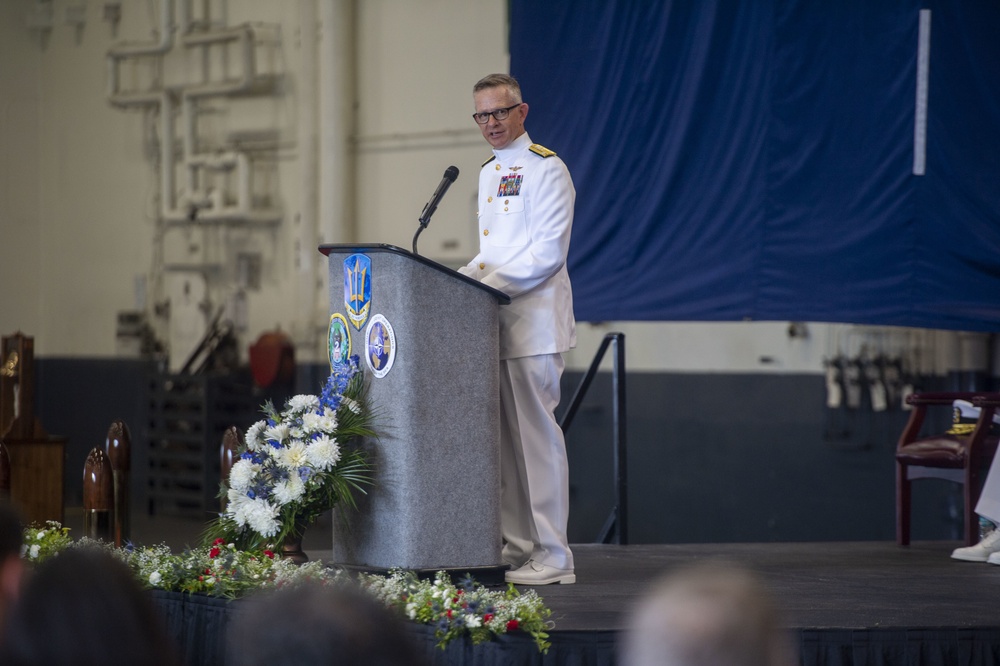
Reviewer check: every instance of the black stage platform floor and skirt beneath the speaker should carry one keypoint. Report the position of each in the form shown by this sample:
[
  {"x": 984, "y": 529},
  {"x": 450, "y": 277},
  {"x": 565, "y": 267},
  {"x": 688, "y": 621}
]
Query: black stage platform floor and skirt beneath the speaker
[{"x": 846, "y": 604}]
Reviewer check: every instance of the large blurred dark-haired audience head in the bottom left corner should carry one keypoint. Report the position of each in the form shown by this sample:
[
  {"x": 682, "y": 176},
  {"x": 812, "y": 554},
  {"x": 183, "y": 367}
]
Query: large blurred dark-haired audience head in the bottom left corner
[{"x": 83, "y": 607}]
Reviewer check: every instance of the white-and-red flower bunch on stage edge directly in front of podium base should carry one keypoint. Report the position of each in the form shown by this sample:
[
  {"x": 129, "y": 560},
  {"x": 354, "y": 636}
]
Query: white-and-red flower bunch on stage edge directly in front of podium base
[{"x": 466, "y": 609}]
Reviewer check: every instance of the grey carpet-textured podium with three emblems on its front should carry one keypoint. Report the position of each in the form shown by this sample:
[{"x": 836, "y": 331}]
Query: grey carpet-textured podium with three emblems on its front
[{"x": 428, "y": 341}]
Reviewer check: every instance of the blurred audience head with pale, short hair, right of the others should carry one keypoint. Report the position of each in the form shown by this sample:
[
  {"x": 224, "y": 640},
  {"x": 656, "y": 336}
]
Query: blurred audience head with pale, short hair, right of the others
[{"x": 707, "y": 615}]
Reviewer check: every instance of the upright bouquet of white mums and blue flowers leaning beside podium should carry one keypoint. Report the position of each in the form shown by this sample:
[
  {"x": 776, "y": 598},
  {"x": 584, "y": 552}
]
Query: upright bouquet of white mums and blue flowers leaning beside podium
[{"x": 297, "y": 463}]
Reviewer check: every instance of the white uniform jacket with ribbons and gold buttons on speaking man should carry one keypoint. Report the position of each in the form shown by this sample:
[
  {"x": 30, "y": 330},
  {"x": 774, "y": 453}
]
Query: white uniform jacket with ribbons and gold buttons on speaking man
[{"x": 526, "y": 199}]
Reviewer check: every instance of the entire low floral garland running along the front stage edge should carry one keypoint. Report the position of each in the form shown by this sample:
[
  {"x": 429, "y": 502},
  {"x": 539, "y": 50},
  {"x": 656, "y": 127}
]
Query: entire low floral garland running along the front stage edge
[{"x": 222, "y": 570}]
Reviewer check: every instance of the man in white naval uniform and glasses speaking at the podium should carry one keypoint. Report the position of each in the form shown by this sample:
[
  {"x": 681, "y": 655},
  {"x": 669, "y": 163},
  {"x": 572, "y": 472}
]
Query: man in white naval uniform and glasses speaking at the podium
[{"x": 526, "y": 199}]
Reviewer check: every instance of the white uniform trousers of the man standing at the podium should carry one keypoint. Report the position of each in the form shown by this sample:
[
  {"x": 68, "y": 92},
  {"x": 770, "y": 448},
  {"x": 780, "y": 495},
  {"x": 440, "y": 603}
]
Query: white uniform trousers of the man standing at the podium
[{"x": 534, "y": 470}]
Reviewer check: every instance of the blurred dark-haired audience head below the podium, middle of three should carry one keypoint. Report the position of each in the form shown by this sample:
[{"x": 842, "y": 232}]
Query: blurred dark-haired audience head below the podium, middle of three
[{"x": 309, "y": 625}]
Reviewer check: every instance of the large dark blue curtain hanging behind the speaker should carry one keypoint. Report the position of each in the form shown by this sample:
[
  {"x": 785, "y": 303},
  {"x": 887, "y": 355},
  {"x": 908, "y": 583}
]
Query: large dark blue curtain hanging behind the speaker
[{"x": 754, "y": 160}]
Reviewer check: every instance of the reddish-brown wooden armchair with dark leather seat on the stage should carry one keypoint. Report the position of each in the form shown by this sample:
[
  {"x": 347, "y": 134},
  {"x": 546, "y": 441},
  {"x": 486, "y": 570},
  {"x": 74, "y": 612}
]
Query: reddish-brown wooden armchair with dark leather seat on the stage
[{"x": 954, "y": 456}]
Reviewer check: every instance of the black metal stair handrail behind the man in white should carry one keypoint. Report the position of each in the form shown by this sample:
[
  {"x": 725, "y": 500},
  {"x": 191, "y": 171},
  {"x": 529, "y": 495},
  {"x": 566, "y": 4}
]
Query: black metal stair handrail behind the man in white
[{"x": 617, "y": 520}]
